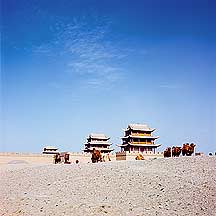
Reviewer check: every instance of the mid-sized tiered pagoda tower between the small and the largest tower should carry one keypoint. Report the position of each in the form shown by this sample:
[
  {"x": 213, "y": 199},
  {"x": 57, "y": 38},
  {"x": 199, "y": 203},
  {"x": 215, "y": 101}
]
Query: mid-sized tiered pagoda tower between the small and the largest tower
[{"x": 99, "y": 142}]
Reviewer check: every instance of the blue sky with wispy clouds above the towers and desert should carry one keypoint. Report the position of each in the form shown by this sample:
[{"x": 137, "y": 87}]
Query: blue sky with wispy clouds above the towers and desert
[{"x": 69, "y": 68}]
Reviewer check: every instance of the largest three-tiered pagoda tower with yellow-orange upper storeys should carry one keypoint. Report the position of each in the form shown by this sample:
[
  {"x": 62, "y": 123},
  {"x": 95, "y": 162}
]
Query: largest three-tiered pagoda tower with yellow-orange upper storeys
[{"x": 139, "y": 138}]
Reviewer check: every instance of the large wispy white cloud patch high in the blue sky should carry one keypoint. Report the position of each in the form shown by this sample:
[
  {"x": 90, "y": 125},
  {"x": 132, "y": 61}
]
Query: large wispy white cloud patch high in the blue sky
[{"x": 89, "y": 52}]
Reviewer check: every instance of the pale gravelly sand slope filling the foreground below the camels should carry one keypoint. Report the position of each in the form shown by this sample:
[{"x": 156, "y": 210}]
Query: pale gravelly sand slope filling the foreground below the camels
[{"x": 168, "y": 186}]
